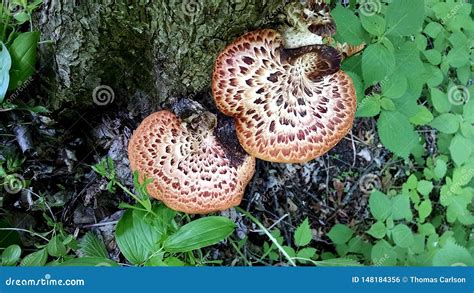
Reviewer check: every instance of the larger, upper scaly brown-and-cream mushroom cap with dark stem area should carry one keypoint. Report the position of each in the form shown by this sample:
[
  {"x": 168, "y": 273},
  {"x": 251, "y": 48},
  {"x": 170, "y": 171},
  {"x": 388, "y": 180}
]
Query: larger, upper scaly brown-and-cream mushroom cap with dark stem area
[{"x": 289, "y": 105}]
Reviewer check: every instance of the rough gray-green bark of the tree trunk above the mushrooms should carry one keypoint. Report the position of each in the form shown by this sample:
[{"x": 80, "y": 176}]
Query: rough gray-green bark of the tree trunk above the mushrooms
[{"x": 155, "y": 49}]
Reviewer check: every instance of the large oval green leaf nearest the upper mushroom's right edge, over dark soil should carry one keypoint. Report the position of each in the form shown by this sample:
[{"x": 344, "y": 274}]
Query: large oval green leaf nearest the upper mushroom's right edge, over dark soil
[{"x": 396, "y": 133}]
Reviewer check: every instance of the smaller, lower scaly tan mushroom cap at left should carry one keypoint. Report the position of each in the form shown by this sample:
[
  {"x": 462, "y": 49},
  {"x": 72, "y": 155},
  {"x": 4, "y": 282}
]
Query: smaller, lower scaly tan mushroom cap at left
[{"x": 192, "y": 171}]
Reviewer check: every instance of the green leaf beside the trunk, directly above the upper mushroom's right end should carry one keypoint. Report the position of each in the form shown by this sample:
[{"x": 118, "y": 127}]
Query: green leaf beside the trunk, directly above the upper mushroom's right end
[{"x": 349, "y": 29}]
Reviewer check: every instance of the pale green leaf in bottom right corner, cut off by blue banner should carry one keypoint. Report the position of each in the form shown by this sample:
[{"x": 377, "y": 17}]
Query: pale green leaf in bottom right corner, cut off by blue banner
[{"x": 452, "y": 255}]
